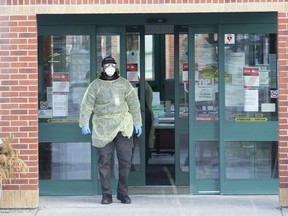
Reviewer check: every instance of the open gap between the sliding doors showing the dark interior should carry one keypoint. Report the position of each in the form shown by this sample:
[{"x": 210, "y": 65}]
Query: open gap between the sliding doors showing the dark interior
[{"x": 160, "y": 156}]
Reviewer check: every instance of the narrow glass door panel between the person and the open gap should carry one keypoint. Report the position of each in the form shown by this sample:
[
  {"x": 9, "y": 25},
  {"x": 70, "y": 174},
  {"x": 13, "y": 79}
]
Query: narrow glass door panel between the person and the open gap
[{"x": 135, "y": 68}]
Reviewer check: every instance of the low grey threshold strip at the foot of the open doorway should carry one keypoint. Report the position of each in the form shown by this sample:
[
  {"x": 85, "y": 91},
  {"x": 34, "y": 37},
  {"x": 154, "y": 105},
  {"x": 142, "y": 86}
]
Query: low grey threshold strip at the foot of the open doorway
[{"x": 158, "y": 189}]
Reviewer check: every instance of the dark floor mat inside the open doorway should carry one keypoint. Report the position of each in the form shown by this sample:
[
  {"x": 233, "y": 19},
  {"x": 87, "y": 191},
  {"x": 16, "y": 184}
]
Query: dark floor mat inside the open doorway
[{"x": 160, "y": 174}]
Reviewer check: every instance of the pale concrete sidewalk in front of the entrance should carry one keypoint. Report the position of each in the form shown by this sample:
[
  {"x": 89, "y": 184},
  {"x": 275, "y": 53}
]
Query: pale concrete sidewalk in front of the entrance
[{"x": 160, "y": 205}]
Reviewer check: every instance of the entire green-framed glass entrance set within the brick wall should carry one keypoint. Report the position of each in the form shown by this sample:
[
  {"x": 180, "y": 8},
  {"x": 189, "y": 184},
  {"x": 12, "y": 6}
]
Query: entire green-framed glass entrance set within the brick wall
[{"x": 225, "y": 135}]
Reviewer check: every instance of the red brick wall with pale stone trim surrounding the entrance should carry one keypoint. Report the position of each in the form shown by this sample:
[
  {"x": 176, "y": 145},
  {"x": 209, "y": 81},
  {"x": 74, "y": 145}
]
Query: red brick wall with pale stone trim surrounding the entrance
[{"x": 18, "y": 73}]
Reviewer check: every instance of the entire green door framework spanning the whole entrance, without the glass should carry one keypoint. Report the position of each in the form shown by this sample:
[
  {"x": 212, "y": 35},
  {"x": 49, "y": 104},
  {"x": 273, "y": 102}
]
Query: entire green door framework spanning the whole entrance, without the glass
[{"x": 263, "y": 23}]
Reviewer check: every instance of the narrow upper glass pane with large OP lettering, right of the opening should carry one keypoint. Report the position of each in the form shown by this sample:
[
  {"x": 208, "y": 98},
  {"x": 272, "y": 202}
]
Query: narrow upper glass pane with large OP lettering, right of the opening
[{"x": 206, "y": 77}]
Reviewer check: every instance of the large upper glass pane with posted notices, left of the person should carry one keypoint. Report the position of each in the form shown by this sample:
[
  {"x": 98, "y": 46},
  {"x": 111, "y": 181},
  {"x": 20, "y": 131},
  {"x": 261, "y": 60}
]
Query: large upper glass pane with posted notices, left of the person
[{"x": 66, "y": 72}]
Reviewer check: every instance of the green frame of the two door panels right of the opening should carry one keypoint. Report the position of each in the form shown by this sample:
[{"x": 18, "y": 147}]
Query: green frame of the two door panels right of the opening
[{"x": 224, "y": 130}]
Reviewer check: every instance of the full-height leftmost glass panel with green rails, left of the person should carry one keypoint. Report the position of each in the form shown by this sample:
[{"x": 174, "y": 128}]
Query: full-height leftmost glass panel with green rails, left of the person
[{"x": 65, "y": 156}]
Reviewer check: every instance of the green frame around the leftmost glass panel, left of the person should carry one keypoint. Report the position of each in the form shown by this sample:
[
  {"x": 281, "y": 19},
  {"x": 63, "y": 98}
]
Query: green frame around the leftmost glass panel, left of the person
[{"x": 70, "y": 132}]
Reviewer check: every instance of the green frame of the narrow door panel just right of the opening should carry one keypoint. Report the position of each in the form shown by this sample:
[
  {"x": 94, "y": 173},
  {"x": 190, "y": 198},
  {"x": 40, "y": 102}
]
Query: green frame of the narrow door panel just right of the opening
[{"x": 199, "y": 131}]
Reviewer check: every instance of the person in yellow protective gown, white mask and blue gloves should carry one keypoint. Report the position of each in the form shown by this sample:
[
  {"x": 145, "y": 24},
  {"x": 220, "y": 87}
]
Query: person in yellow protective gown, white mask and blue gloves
[{"x": 116, "y": 109}]
